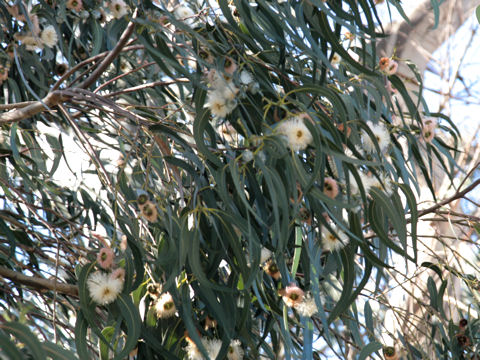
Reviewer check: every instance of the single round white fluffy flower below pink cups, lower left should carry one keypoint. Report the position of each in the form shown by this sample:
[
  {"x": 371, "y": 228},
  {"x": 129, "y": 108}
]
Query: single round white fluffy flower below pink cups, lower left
[{"x": 103, "y": 288}]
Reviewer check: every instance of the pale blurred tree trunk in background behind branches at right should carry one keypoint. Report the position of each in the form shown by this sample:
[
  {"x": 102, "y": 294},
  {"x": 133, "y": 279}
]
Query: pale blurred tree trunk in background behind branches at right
[{"x": 417, "y": 41}]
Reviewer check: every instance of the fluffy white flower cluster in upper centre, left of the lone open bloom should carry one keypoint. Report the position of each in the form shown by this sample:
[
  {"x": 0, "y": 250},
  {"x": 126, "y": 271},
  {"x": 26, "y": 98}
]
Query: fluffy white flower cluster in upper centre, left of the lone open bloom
[{"x": 222, "y": 95}]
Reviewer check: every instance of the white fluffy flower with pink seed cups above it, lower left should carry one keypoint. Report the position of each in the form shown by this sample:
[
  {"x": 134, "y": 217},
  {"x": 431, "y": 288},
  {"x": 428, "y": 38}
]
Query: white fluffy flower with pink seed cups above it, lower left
[{"x": 105, "y": 286}]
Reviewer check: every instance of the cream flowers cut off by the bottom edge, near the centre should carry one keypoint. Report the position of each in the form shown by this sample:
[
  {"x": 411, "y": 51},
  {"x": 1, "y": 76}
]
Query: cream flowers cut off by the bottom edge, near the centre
[{"x": 213, "y": 346}]
